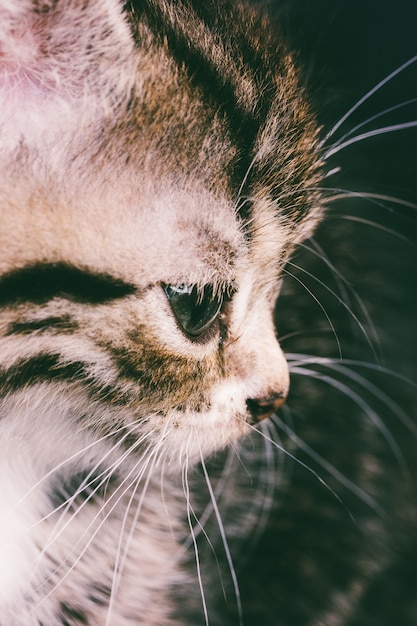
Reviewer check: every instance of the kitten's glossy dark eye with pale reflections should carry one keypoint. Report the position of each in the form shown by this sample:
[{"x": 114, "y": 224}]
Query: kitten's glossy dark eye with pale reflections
[{"x": 194, "y": 310}]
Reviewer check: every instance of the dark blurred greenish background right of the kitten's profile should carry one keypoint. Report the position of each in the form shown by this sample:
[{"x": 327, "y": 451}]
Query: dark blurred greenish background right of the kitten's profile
[{"x": 326, "y": 557}]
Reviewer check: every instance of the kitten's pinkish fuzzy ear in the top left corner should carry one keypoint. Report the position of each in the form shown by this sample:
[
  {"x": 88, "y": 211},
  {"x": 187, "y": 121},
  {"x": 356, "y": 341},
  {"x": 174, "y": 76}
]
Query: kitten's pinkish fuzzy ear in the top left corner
[{"x": 59, "y": 48}]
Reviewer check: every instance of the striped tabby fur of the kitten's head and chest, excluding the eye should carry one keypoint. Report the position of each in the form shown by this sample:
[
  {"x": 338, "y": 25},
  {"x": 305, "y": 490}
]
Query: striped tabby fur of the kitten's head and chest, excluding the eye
[{"x": 156, "y": 143}]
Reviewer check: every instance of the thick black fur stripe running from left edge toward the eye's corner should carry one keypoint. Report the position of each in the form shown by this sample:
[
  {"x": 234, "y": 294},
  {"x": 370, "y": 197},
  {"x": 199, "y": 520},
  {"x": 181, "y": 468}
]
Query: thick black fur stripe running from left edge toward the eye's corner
[{"x": 41, "y": 282}]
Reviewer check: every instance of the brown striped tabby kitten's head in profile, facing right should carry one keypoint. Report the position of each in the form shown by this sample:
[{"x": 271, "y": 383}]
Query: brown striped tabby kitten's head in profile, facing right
[{"x": 158, "y": 167}]
